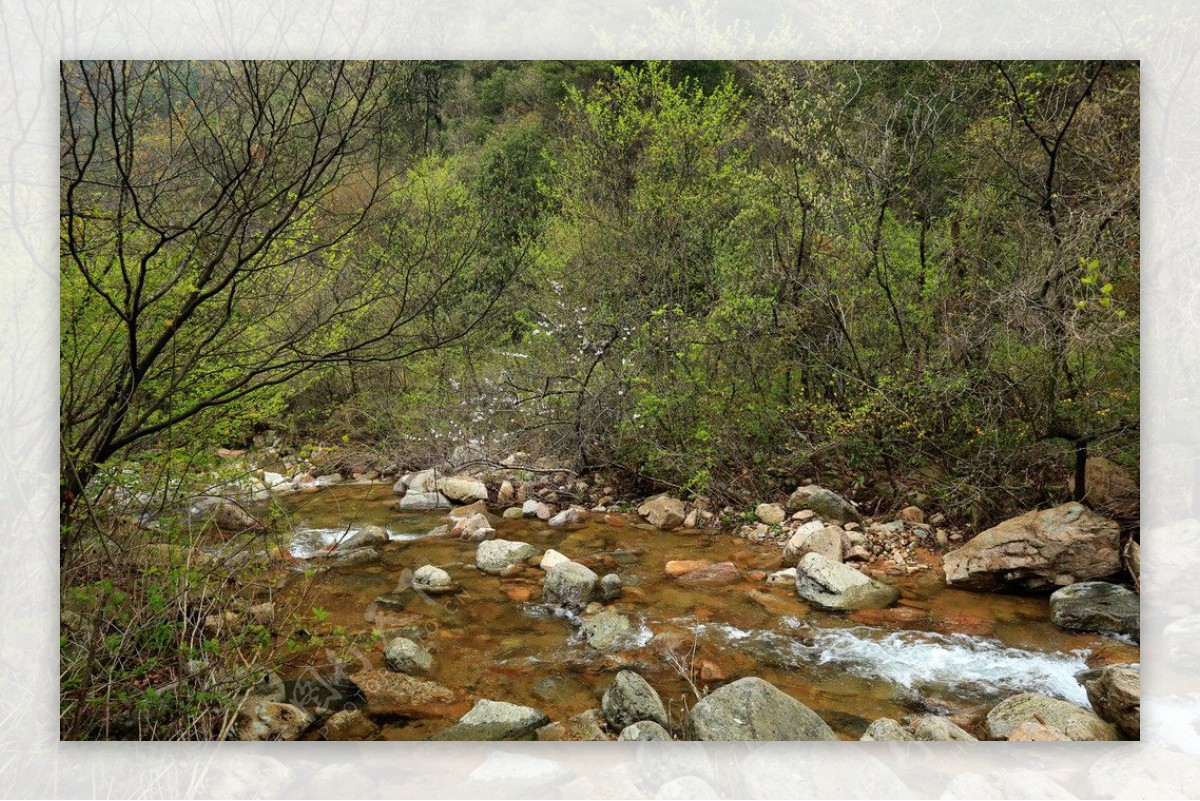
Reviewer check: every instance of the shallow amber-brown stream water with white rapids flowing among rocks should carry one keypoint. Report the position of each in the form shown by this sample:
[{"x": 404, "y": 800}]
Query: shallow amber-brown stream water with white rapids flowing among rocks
[{"x": 939, "y": 651}]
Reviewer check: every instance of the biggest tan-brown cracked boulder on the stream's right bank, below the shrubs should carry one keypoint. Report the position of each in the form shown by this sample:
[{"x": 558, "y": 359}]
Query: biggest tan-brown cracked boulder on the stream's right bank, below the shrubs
[{"x": 1037, "y": 552}]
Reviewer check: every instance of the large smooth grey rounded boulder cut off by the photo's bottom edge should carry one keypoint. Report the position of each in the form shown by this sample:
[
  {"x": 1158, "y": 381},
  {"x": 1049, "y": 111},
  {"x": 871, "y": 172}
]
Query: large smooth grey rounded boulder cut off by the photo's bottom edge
[{"x": 753, "y": 709}]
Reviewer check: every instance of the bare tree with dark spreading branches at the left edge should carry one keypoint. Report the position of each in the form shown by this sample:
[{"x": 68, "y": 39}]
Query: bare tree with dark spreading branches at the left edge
[{"x": 221, "y": 236}]
